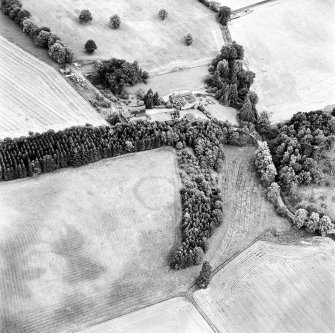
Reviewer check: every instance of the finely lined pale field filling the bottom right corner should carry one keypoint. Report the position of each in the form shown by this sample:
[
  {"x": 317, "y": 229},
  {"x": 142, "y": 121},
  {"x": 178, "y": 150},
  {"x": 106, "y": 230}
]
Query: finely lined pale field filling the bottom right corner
[{"x": 274, "y": 288}]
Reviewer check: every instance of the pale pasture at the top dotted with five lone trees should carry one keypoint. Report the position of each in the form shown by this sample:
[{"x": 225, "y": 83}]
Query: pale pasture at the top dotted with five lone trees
[{"x": 157, "y": 45}]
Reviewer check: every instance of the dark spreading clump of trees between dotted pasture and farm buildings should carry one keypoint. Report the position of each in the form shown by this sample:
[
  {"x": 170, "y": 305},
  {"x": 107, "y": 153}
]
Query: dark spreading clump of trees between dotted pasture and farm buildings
[{"x": 117, "y": 74}]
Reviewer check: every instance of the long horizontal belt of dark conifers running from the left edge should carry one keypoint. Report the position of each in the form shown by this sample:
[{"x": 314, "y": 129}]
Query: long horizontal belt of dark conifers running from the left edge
[{"x": 81, "y": 145}]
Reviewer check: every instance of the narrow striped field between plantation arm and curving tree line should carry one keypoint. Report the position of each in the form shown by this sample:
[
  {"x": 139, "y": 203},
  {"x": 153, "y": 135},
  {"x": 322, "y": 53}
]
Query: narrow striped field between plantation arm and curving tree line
[{"x": 246, "y": 213}]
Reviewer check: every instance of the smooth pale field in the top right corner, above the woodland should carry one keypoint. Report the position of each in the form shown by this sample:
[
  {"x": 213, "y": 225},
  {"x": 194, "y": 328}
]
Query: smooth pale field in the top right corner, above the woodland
[{"x": 290, "y": 45}]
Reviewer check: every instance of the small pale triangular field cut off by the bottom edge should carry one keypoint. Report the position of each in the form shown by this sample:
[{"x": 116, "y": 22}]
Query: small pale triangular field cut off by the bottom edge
[{"x": 175, "y": 315}]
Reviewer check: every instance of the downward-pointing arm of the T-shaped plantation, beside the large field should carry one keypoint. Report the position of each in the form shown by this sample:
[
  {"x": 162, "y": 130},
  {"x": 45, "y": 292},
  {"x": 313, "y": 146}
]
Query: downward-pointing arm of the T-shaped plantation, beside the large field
[{"x": 202, "y": 206}]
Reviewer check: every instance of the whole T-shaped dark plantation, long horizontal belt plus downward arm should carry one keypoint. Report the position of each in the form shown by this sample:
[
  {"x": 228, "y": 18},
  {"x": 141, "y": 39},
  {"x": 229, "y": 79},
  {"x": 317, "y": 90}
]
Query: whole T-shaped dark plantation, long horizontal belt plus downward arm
[{"x": 201, "y": 200}]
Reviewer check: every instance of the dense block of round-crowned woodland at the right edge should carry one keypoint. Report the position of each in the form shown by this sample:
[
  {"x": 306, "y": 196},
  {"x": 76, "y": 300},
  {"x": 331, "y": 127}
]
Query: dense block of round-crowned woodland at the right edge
[{"x": 297, "y": 146}]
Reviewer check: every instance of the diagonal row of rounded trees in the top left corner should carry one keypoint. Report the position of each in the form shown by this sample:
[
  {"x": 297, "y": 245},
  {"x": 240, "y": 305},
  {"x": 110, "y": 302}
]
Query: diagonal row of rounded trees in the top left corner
[{"x": 42, "y": 36}]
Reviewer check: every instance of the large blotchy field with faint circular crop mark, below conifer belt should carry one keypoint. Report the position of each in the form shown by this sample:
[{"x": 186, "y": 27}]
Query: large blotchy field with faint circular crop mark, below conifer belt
[{"x": 80, "y": 246}]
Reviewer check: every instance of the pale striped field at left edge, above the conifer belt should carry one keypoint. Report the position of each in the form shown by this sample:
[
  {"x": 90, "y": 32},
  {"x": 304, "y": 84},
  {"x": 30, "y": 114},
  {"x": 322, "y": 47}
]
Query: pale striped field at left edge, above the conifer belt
[{"x": 34, "y": 97}]
